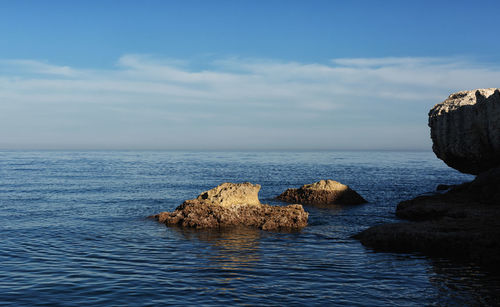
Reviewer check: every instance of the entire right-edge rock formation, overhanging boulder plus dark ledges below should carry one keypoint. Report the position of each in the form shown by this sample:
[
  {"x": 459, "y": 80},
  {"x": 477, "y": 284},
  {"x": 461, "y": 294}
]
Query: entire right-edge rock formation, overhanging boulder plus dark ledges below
[{"x": 462, "y": 222}]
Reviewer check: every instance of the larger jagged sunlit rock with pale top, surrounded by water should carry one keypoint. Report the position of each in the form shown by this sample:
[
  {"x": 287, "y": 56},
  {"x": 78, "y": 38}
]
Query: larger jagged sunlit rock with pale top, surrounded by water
[{"x": 230, "y": 205}]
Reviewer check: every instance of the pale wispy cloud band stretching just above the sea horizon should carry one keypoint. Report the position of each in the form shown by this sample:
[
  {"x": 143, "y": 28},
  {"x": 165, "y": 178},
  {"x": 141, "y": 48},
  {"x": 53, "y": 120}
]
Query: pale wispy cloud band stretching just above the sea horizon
[{"x": 171, "y": 103}]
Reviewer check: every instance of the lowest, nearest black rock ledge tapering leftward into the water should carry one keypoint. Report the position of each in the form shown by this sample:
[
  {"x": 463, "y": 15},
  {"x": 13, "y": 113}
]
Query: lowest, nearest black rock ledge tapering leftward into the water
[{"x": 473, "y": 240}]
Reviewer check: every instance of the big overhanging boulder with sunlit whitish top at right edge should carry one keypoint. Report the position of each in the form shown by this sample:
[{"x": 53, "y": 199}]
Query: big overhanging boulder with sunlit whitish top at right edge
[{"x": 465, "y": 130}]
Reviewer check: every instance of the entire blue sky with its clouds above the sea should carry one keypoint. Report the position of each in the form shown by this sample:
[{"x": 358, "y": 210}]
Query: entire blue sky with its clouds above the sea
[{"x": 237, "y": 75}]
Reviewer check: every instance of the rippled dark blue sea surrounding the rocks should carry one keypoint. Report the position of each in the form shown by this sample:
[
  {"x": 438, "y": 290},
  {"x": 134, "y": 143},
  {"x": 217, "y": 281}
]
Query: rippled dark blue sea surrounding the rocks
[{"x": 73, "y": 232}]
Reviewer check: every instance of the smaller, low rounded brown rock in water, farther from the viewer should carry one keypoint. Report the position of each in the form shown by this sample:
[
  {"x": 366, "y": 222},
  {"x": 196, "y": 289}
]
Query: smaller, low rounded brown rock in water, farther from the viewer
[{"x": 324, "y": 192}]
